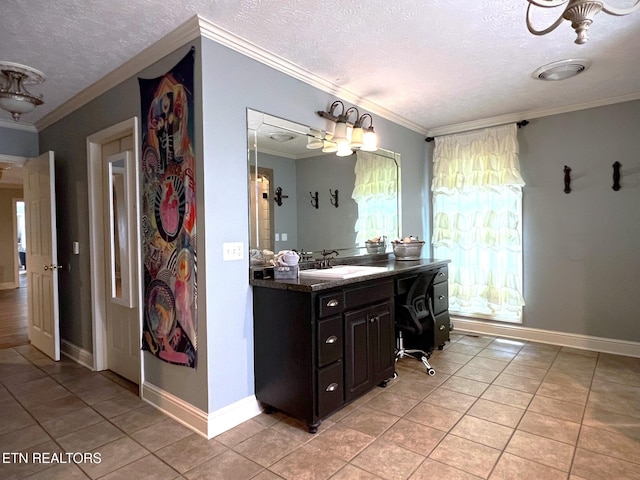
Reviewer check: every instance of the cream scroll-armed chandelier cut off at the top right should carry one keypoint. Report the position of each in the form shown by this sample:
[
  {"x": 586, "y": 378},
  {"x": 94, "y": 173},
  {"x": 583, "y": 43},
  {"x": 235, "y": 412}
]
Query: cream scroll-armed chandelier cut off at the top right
[{"x": 579, "y": 12}]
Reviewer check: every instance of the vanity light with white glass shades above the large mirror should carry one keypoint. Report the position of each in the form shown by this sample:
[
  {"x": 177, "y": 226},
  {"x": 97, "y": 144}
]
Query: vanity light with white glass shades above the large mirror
[{"x": 341, "y": 135}]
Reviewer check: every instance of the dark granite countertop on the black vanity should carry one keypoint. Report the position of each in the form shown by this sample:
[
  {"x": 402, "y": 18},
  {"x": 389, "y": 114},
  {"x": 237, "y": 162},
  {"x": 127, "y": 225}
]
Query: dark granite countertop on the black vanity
[{"x": 394, "y": 267}]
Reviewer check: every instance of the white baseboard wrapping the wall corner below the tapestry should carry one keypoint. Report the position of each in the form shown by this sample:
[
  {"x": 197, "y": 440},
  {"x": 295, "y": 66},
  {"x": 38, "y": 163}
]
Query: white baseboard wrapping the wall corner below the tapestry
[{"x": 206, "y": 424}]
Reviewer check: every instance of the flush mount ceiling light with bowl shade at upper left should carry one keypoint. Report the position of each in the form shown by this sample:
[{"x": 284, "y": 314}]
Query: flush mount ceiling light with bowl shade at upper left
[{"x": 14, "y": 98}]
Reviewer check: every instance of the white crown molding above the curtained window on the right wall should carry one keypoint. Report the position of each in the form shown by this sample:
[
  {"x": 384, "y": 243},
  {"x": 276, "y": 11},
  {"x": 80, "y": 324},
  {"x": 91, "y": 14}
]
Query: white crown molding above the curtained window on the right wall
[{"x": 528, "y": 115}]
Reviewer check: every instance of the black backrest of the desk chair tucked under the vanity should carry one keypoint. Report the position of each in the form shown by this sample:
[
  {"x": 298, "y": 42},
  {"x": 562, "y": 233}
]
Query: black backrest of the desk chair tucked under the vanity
[{"x": 414, "y": 315}]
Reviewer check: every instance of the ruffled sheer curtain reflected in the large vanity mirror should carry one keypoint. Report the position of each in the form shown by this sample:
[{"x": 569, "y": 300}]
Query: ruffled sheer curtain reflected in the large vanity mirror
[{"x": 376, "y": 193}]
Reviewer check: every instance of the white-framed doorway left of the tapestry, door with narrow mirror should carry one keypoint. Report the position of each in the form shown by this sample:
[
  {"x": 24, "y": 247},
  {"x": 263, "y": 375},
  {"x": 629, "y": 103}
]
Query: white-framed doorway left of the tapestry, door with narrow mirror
[{"x": 117, "y": 324}]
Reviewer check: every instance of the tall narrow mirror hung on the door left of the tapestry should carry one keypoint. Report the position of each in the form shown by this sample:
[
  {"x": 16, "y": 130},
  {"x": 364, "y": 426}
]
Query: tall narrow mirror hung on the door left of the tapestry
[{"x": 120, "y": 227}]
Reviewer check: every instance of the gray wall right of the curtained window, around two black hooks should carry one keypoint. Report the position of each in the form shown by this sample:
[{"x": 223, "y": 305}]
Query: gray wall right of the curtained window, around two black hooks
[{"x": 582, "y": 250}]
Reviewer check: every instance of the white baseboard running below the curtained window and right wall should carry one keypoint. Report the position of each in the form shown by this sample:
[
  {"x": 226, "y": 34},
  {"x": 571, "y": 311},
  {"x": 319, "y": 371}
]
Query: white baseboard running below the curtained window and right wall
[{"x": 583, "y": 342}]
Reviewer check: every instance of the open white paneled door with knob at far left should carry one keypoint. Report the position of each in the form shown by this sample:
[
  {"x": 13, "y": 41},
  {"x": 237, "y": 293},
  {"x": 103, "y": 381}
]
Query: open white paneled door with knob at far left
[{"x": 42, "y": 258}]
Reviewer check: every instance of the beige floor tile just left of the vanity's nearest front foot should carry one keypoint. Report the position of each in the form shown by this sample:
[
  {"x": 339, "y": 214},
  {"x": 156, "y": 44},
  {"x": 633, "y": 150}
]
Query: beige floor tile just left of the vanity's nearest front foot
[{"x": 267, "y": 446}]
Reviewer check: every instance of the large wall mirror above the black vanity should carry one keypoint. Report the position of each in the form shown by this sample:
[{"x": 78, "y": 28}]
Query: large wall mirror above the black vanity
[{"x": 306, "y": 200}]
